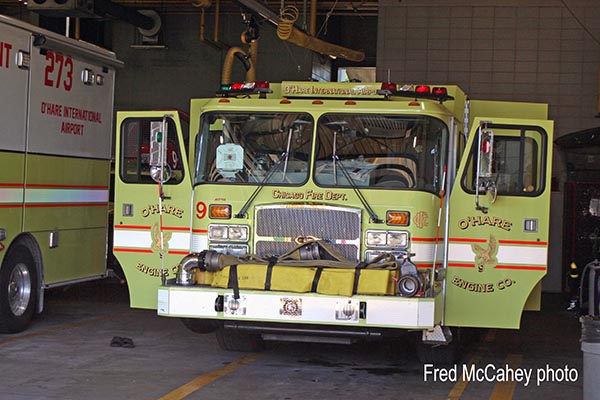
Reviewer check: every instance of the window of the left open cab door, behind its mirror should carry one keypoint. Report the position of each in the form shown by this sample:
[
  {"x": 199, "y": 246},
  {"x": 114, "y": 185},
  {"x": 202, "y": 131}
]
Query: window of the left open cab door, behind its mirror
[{"x": 135, "y": 151}]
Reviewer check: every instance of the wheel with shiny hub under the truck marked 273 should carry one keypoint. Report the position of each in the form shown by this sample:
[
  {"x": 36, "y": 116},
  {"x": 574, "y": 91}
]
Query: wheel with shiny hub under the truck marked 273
[{"x": 18, "y": 285}]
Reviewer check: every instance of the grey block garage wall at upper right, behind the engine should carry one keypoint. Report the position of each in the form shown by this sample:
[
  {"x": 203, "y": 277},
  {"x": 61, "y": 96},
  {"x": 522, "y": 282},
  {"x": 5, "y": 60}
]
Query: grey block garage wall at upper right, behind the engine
[{"x": 524, "y": 50}]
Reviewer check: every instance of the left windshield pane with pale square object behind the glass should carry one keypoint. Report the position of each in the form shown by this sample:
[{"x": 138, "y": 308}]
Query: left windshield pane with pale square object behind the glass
[{"x": 238, "y": 147}]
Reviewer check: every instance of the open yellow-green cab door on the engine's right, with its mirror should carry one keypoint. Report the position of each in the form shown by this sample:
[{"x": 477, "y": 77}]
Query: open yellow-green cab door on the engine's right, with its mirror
[{"x": 499, "y": 223}]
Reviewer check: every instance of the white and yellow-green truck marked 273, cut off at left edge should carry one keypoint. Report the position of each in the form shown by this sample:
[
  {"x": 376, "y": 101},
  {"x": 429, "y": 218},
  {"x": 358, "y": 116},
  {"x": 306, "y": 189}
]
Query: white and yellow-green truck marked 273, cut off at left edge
[{"x": 57, "y": 114}]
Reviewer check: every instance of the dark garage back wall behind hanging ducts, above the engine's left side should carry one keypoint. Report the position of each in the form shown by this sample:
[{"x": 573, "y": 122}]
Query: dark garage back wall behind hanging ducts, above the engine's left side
[{"x": 190, "y": 68}]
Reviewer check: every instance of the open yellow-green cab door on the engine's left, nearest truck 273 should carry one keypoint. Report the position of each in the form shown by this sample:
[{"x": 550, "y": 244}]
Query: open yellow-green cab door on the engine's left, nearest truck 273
[{"x": 152, "y": 206}]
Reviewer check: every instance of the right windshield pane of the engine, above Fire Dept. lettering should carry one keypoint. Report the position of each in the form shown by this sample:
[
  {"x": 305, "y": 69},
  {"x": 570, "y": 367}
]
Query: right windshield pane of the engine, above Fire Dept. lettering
[{"x": 380, "y": 151}]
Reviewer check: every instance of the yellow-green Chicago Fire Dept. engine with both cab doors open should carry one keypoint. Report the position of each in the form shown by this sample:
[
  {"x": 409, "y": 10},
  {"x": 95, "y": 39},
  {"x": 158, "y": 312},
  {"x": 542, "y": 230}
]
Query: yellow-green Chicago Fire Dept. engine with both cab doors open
[{"x": 335, "y": 212}]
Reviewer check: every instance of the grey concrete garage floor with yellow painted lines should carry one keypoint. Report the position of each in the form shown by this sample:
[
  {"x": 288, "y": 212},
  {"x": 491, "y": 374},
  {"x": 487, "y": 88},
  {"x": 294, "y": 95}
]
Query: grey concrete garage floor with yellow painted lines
[{"x": 66, "y": 354}]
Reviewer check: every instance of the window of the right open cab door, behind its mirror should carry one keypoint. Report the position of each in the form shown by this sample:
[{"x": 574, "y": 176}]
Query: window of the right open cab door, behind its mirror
[{"x": 518, "y": 161}]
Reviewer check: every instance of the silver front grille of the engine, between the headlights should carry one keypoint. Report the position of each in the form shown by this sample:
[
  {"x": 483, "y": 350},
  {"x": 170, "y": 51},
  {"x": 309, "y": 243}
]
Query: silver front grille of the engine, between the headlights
[{"x": 277, "y": 225}]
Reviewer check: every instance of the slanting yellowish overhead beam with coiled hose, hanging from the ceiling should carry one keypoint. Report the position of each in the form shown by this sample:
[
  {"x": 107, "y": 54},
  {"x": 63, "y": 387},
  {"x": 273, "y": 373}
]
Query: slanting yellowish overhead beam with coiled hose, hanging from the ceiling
[{"x": 288, "y": 32}]
